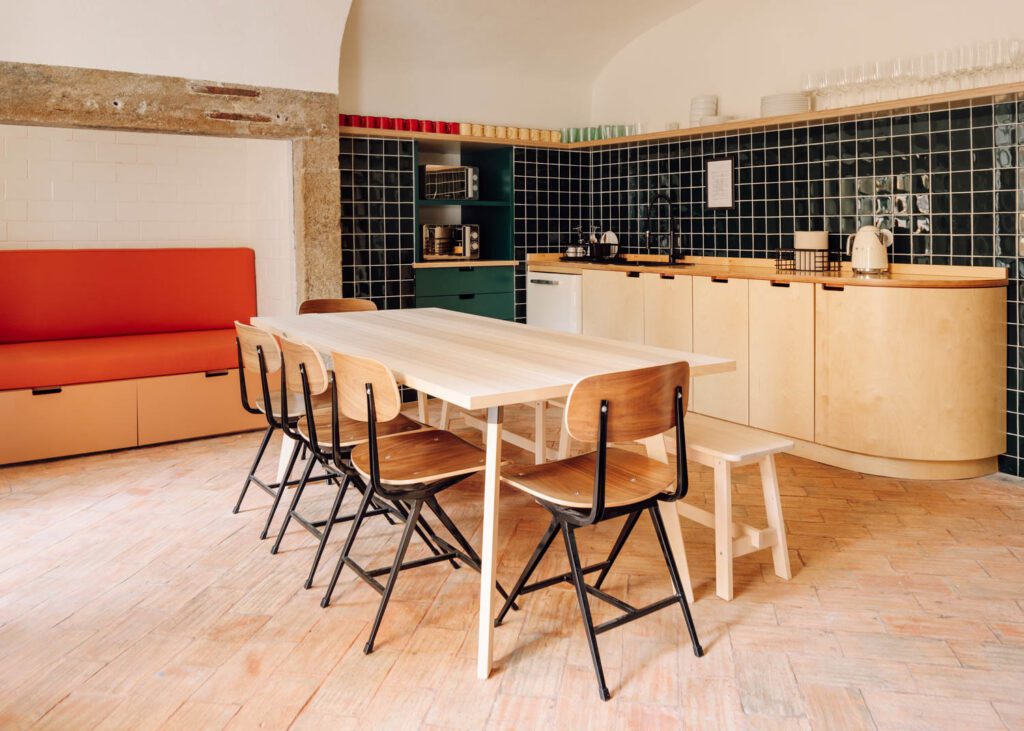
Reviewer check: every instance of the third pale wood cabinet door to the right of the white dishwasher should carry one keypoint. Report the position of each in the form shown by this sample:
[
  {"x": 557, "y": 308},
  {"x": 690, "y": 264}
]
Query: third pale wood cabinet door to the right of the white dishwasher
[{"x": 720, "y": 328}]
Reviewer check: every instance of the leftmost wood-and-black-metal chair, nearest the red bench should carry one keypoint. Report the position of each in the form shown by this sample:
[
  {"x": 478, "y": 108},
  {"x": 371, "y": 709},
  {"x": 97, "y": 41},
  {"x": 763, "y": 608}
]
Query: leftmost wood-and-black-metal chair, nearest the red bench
[{"x": 260, "y": 355}]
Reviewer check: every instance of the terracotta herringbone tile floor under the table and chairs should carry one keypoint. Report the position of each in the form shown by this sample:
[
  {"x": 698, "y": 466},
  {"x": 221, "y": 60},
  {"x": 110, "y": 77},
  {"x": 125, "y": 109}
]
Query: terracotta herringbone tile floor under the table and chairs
[{"x": 131, "y": 597}]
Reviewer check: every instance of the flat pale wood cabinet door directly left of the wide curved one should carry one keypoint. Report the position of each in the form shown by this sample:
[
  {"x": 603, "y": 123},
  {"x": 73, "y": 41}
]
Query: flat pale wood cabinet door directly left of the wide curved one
[{"x": 782, "y": 333}]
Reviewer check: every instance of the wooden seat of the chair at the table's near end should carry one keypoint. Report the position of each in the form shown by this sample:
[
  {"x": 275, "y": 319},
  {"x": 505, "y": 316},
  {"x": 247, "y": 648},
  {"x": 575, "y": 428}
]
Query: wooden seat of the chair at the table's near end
[{"x": 630, "y": 479}]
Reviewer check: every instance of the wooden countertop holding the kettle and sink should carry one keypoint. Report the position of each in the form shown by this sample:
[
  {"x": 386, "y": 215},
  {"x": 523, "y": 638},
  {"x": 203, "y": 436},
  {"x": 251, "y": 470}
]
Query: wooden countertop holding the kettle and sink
[{"x": 905, "y": 276}]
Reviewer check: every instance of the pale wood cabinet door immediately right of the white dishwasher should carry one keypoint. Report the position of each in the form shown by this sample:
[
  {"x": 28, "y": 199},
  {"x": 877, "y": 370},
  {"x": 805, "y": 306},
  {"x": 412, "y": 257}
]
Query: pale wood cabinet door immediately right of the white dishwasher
[{"x": 613, "y": 306}]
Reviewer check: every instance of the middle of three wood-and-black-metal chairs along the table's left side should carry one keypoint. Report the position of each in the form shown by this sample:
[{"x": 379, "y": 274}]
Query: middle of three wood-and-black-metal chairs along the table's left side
[{"x": 329, "y": 438}]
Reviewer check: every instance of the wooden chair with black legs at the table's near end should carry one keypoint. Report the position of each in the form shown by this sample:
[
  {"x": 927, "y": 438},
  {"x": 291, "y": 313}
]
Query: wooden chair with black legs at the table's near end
[{"x": 611, "y": 484}]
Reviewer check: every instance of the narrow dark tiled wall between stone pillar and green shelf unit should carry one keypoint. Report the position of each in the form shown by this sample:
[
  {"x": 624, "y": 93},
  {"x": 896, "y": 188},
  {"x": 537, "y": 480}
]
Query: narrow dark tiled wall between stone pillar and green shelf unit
[{"x": 378, "y": 221}]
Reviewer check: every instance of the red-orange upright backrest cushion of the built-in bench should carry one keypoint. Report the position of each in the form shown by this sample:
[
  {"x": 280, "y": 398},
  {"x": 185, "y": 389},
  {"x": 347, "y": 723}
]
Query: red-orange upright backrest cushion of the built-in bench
[{"x": 97, "y": 293}]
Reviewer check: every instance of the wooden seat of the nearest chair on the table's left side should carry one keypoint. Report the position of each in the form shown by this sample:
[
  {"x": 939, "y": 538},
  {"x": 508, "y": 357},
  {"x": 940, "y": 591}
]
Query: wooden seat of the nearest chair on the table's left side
[{"x": 421, "y": 457}]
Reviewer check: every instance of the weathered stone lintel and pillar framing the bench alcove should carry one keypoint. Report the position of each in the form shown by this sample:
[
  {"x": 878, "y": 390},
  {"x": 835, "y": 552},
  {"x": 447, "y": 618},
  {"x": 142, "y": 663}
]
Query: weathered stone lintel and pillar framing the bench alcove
[{"x": 64, "y": 97}]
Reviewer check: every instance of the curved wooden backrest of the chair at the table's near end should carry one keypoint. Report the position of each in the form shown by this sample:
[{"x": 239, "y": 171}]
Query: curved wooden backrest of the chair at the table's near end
[{"x": 642, "y": 403}]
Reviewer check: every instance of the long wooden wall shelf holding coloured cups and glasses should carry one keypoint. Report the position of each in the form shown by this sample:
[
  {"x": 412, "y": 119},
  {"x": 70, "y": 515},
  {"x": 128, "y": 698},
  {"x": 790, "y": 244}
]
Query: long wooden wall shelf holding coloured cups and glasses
[{"x": 916, "y": 104}]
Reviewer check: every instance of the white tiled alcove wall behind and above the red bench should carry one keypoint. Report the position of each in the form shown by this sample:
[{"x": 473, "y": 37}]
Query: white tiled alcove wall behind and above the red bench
[{"x": 88, "y": 189}]
